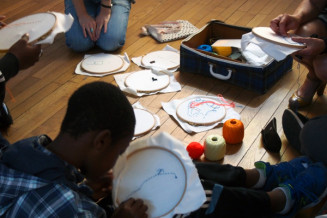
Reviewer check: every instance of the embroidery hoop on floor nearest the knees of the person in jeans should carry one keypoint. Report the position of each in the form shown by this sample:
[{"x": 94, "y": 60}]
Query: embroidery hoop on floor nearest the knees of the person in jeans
[{"x": 102, "y": 63}]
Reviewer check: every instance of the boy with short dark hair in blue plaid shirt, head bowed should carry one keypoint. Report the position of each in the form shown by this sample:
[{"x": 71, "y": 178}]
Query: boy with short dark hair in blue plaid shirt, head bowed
[{"x": 44, "y": 178}]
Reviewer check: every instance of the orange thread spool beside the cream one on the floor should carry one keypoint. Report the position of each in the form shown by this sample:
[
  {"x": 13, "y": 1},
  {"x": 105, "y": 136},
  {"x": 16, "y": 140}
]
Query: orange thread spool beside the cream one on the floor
[{"x": 233, "y": 131}]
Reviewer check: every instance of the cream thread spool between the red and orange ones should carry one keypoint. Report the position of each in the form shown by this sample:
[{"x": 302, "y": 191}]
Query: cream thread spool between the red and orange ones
[{"x": 214, "y": 147}]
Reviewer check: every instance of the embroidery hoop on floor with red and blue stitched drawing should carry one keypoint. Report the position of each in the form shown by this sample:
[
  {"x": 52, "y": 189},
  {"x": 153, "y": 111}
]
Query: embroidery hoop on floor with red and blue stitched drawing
[{"x": 194, "y": 119}]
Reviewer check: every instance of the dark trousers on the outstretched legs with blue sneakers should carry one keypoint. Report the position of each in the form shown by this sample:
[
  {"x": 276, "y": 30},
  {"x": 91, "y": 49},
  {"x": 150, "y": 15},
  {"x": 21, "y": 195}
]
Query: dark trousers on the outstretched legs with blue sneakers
[{"x": 234, "y": 200}]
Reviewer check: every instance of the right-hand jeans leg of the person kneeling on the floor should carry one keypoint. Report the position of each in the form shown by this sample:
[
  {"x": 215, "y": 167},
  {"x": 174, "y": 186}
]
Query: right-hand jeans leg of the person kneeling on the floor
[{"x": 115, "y": 36}]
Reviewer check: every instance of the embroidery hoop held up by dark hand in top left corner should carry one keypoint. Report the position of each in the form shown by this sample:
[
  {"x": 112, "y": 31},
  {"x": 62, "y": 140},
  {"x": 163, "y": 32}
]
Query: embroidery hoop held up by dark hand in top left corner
[{"x": 38, "y": 26}]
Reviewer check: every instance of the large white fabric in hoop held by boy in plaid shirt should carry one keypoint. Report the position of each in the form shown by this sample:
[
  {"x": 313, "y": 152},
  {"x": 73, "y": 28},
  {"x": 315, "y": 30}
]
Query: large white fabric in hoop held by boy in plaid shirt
[{"x": 158, "y": 170}]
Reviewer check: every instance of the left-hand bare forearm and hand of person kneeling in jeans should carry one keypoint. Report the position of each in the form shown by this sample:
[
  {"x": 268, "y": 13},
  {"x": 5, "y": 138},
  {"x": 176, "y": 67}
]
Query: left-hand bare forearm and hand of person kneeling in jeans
[{"x": 87, "y": 22}]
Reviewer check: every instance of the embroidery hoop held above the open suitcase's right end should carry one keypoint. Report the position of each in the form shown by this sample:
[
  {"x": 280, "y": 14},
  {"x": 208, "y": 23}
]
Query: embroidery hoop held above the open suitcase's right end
[{"x": 268, "y": 34}]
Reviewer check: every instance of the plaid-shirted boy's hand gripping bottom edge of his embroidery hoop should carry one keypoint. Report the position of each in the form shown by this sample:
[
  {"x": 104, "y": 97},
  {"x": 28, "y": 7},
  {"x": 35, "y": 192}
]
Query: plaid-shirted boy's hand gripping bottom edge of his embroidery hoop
[{"x": 131, "y": 209}]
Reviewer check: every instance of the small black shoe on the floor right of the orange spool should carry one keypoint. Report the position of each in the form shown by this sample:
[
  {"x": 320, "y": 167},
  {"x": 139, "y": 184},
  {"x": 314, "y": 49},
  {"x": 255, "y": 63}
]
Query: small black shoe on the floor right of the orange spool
[{"x": 270, "y": 137}]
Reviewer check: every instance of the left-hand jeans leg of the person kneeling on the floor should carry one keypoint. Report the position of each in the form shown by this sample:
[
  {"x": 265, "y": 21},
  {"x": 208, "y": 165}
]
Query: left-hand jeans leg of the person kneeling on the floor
[{"x": 74, "y": 36}]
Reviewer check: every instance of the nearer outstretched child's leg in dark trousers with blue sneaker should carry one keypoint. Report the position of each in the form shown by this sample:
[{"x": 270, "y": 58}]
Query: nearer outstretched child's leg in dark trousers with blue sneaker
[{"x": 305, "y": 189}]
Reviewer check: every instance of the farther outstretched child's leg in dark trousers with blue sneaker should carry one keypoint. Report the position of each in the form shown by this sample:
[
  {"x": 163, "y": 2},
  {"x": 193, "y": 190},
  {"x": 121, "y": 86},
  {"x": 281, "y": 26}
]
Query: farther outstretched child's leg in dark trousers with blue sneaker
[{"x": 264, "y": 176}]
